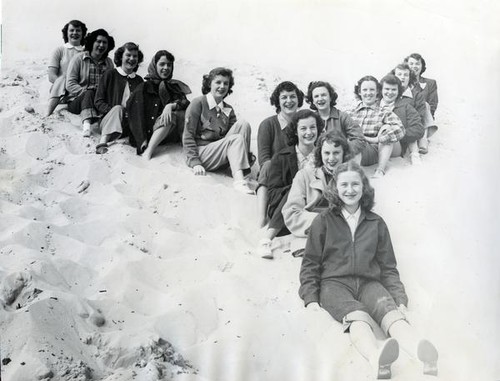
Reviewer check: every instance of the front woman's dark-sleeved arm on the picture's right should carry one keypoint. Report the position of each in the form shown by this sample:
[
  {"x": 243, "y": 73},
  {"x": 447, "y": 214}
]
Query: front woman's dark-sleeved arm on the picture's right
[{"x": 389, "y": 275}]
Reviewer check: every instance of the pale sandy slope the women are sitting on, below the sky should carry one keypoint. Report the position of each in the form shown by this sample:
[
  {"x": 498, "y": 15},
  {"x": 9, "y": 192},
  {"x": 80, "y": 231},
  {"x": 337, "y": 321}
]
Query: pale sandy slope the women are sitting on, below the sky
[{"x": 149, "y": 273}]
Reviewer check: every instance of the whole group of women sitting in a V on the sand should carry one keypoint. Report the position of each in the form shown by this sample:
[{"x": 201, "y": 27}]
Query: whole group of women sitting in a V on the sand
[{"x": 310, "y": 182}]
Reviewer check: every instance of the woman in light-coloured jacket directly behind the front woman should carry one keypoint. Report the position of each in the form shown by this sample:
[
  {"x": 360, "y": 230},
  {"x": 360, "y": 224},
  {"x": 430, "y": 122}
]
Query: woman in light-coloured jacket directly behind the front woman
[{"x": 306, "y": 198}]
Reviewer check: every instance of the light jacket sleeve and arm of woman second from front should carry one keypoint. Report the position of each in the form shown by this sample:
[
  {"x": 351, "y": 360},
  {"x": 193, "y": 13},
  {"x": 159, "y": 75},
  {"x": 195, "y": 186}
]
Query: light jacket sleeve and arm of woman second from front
[{"x": 297, "y": 219}]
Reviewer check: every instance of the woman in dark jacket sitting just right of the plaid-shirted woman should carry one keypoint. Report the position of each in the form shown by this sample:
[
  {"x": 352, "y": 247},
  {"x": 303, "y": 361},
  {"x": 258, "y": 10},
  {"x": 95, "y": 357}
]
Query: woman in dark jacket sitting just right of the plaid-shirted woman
[{"x": 412, "y": 122}]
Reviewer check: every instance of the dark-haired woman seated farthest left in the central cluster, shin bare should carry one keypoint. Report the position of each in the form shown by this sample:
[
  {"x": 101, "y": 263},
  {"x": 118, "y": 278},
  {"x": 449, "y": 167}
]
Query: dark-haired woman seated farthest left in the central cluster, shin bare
[{"x": 271, "y": 138}]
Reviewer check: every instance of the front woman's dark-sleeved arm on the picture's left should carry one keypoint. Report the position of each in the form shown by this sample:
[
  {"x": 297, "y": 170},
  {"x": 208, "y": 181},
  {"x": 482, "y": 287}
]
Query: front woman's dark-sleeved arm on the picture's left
[{"x": 310, "y": 271}]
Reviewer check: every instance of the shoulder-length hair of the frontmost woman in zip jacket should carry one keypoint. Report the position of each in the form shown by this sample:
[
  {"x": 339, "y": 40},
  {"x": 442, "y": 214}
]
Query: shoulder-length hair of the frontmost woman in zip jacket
[{"x": 331, "y": 194}]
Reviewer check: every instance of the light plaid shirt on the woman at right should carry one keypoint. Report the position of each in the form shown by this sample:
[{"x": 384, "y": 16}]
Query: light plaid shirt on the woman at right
[{"x": 378, "y": 121}]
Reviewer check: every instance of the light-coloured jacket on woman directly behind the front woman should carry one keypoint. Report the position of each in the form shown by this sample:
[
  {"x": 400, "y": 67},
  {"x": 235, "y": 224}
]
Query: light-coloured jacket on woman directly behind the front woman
[{"x": 301, "y": 207}]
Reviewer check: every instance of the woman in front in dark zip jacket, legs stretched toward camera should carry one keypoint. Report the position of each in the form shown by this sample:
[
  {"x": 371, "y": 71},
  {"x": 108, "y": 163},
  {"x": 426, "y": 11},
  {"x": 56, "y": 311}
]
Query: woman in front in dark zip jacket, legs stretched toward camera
[{"x": 349, "y": 269}]
